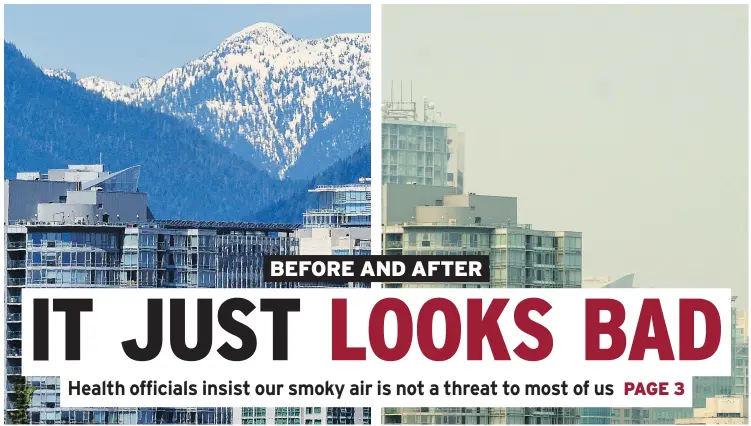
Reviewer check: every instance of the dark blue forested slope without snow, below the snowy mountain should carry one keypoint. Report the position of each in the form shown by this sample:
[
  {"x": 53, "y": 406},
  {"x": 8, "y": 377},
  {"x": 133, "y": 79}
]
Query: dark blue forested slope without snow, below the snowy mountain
[{"x": 51, "y": 122}]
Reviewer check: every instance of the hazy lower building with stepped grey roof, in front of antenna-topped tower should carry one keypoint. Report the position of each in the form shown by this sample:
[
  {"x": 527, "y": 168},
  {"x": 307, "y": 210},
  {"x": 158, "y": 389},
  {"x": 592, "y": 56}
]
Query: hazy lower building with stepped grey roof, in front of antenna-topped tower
[{"x": 466, "y": 224}]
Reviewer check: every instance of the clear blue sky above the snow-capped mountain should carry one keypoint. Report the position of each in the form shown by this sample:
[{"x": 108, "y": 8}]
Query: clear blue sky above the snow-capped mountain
[{"x": 125, "y": 42}]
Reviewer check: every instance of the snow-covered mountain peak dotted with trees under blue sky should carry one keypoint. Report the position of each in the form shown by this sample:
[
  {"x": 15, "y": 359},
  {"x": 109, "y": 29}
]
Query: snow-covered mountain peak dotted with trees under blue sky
[{"x": 266, "y": 95}]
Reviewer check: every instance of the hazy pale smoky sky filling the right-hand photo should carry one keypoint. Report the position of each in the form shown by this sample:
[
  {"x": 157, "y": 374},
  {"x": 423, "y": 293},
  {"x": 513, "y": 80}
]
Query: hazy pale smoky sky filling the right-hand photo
[{"x": 627, "y": 123}]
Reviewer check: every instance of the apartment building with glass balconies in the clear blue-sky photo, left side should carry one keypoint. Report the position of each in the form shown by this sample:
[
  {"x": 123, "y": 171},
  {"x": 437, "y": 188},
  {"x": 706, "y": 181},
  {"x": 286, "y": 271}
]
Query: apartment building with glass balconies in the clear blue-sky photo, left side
[{"x": 83, "y": 227}]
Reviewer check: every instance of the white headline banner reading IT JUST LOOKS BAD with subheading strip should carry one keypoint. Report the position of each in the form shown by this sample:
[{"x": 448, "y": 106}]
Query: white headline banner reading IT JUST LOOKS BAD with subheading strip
[{"x": 405, "y": 365}]
